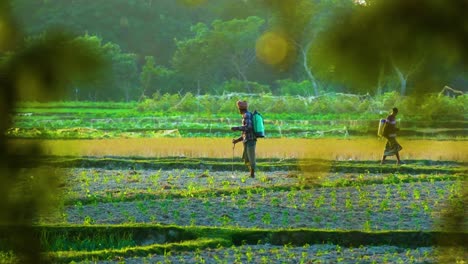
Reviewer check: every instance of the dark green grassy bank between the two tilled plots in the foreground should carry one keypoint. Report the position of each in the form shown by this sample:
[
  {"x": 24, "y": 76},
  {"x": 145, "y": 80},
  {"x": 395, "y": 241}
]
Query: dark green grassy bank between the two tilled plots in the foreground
[{"x": 199, "y": 238}]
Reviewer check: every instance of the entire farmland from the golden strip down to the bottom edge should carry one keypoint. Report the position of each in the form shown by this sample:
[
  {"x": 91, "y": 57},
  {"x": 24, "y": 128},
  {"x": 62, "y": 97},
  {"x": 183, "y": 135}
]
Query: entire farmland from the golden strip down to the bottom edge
[{"x": 189, "y": 199}]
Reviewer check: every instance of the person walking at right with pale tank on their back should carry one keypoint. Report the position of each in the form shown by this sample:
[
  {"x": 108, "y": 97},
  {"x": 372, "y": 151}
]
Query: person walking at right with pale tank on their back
[{"x": 392, "y": 147}]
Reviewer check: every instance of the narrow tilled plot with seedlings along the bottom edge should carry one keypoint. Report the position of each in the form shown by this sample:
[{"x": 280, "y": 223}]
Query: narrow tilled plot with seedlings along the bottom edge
[{"x": 287, "y": 254}]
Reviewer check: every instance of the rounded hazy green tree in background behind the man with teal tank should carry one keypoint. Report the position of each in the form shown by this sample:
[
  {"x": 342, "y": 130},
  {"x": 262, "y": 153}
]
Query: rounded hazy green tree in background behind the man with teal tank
[{"x": 220, "y": 52}]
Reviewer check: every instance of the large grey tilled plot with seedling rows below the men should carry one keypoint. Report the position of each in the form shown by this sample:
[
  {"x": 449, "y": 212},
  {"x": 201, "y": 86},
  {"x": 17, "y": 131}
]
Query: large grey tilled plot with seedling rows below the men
[{"x": 272, "y": 200}]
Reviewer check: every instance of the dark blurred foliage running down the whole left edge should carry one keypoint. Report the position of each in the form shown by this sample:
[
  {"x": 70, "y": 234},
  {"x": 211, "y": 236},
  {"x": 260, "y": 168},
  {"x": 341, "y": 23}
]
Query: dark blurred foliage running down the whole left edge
[{"x": 32, "y": 68}]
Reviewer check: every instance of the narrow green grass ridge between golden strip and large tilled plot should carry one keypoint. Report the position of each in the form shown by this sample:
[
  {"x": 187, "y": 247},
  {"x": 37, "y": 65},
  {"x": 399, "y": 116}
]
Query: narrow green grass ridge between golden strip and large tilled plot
[{"x": 221, "y": 164}]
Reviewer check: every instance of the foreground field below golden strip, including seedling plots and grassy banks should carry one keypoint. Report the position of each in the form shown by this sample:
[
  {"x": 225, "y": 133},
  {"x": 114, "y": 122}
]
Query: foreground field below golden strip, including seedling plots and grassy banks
[{"x": 330, "y": 211}]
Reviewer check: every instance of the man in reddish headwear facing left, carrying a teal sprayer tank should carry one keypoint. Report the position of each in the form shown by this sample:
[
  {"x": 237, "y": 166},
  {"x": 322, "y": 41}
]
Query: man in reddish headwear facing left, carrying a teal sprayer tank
[{"x": 248, "y": 137}]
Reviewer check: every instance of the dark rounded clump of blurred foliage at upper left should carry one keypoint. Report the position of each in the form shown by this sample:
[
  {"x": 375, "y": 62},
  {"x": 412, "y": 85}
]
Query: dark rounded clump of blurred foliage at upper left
[{"x": 50, "y": 62}]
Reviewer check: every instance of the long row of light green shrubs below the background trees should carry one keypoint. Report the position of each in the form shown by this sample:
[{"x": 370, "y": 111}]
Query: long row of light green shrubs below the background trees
[{"x": 428, "y": 107}]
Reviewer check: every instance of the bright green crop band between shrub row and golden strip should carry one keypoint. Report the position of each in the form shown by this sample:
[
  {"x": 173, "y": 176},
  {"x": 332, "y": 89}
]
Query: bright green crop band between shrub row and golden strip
[{"x": 95, "y": 123}]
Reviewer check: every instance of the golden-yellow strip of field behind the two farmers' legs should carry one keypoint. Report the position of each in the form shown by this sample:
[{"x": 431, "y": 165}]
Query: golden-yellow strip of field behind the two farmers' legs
[{"x": 331, "y": 149}]
